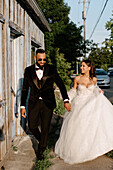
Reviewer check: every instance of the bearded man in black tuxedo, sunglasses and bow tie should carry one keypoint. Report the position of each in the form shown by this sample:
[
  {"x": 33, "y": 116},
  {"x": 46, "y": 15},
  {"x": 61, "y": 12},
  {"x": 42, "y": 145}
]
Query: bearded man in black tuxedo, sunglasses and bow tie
[{"x": 40, "y": 77}]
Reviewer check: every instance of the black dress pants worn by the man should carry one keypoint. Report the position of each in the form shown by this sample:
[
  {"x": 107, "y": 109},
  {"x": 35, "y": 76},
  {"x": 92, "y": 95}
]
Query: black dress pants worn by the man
[{"x": 40, "y": 115}]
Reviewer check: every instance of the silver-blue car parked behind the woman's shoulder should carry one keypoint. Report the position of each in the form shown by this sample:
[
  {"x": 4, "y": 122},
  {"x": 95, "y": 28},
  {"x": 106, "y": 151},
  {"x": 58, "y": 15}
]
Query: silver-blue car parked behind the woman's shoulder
[{"x": 103, "y": 80}]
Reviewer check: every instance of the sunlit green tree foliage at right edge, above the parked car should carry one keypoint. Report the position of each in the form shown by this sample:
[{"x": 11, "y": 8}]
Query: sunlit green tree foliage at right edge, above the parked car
[{"x": 103, "y": 57}]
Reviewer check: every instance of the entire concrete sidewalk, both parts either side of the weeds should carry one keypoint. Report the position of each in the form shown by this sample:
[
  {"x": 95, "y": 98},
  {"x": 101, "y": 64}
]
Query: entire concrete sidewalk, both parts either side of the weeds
[{"x": 24, "y": 158}]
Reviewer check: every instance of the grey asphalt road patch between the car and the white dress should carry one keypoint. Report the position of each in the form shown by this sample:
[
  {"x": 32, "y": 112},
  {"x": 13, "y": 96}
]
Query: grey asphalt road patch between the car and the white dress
[{"x": 108, "y": 92}]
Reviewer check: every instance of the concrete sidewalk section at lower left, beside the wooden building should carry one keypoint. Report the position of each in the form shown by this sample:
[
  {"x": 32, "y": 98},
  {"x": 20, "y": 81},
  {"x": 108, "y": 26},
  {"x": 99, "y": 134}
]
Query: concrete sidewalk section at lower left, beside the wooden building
[{"x": 23, "y": 158}]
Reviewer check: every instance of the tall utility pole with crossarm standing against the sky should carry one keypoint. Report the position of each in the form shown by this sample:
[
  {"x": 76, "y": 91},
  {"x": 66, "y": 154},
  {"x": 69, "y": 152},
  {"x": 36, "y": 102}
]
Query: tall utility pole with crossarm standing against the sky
[{"x": 84, "y": 19}]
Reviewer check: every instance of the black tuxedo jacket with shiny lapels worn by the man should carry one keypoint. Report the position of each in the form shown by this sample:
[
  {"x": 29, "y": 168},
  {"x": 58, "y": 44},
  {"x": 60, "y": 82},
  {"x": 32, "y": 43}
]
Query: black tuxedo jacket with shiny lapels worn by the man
[{"x": 46, "y": 90}]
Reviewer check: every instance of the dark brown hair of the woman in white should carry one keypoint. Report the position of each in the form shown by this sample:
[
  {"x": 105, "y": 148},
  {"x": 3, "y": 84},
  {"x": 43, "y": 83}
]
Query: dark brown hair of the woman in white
[{"x": 90, "y": 64}]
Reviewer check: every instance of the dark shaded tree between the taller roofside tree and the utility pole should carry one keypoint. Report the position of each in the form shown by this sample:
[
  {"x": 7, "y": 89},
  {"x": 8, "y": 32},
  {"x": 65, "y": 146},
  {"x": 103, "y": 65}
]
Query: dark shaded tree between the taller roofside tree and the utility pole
[{"x": 70, "y": 43}]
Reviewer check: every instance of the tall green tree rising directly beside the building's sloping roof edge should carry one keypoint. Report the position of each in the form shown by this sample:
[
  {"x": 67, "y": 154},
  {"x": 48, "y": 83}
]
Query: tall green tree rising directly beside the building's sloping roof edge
[{"x": 56, "y": 13}]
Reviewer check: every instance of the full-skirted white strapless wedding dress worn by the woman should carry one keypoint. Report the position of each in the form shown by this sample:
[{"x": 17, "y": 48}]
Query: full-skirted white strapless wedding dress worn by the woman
[{"x": 87, "y": 130}]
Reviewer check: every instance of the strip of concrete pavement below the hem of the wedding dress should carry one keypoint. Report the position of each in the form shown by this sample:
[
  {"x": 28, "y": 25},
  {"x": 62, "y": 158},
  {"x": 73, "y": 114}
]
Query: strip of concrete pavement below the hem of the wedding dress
[{"x": 101, "y": 163}]
